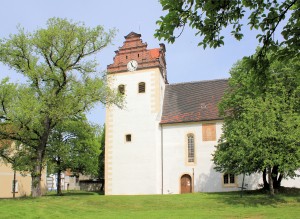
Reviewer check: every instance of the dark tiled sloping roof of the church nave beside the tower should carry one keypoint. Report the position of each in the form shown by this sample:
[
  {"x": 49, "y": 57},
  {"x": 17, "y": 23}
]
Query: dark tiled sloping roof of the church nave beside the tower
[{"x": 193, "y": 101}]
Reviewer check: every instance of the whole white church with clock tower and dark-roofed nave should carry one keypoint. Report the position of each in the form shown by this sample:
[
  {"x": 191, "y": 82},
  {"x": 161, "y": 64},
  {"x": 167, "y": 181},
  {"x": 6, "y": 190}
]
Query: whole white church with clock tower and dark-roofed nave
[{"x": 162, "y": 140}]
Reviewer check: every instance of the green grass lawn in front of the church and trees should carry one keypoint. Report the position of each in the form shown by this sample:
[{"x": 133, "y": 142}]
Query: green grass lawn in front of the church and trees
[{"x": 197, "y": 205}]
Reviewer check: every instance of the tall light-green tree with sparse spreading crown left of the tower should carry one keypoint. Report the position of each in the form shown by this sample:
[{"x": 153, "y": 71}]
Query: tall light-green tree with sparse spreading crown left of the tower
[{"x": 61, "y": 82}]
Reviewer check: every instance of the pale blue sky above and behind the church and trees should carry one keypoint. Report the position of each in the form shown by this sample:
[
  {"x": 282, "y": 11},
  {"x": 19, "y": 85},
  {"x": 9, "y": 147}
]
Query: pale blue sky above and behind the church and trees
[{"x": 185, "y": 60}]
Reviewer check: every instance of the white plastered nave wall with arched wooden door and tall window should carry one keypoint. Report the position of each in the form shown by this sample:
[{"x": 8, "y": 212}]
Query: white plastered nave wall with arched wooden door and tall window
[{"x": 204, "y": 177}]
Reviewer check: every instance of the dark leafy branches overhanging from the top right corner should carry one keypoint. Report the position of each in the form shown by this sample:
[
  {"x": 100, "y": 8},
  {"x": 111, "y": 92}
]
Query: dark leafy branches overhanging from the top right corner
[{"x": 210, "y": 19}]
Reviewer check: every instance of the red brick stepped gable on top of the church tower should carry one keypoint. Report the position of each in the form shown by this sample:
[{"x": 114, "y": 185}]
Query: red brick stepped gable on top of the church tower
[{"x": 134, "y": 49}]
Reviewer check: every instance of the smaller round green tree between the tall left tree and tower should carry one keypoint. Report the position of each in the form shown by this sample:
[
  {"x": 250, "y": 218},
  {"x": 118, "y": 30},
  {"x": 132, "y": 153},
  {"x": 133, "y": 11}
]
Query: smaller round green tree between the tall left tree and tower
[{"x": 74, "y": 144}]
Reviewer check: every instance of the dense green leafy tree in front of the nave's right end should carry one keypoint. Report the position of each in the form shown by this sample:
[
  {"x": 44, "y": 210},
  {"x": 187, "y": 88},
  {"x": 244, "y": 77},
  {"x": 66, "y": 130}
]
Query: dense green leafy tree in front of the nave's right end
[{"x": 261, "y": 131}]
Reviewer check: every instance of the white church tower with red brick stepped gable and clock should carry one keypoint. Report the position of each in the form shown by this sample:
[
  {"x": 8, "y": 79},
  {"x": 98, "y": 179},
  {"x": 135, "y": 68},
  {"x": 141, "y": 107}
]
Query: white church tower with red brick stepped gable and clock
[{"x": 133, "y": 147}]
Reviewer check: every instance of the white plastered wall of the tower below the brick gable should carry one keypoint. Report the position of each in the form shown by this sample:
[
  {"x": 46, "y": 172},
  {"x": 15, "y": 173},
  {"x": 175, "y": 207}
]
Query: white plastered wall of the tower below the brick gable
[{"x": 134, "y": 167}]
